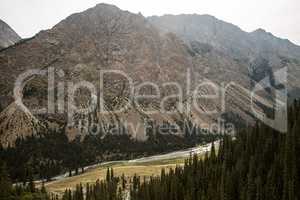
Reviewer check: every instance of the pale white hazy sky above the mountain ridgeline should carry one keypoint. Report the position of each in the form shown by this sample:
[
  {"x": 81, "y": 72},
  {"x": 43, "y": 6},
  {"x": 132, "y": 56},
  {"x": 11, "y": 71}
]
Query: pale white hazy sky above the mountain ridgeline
[{"x": 281, "y": 17}]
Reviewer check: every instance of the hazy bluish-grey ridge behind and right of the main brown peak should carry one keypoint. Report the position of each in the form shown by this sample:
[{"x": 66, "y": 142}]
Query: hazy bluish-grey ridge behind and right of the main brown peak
[{"x": 225, "y": 37}]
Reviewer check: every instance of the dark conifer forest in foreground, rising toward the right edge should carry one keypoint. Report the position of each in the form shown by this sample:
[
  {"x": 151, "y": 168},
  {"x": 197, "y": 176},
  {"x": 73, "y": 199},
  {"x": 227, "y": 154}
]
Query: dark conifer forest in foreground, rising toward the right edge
[{"x": 258, "y": 163}]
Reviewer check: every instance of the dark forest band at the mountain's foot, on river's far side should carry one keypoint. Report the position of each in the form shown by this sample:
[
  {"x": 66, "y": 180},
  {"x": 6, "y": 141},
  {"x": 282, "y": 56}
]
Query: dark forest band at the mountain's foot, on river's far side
[{"x": 46, "y": 155}]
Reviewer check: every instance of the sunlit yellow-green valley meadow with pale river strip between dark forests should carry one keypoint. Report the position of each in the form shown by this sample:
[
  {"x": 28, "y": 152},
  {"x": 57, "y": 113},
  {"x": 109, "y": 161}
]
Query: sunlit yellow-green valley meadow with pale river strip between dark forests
[{"x": 143, "y": 167}]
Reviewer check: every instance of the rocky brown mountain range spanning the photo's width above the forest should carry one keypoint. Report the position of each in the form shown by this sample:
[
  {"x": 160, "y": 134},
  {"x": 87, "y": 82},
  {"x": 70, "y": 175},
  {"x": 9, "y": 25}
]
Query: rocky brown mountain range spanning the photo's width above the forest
[{"x": 156, "y": 49}]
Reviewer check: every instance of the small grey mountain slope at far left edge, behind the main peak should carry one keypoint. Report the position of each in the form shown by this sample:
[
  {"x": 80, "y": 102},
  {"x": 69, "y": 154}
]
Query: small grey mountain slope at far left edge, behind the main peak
[{"x": 8, "y": 36}]
